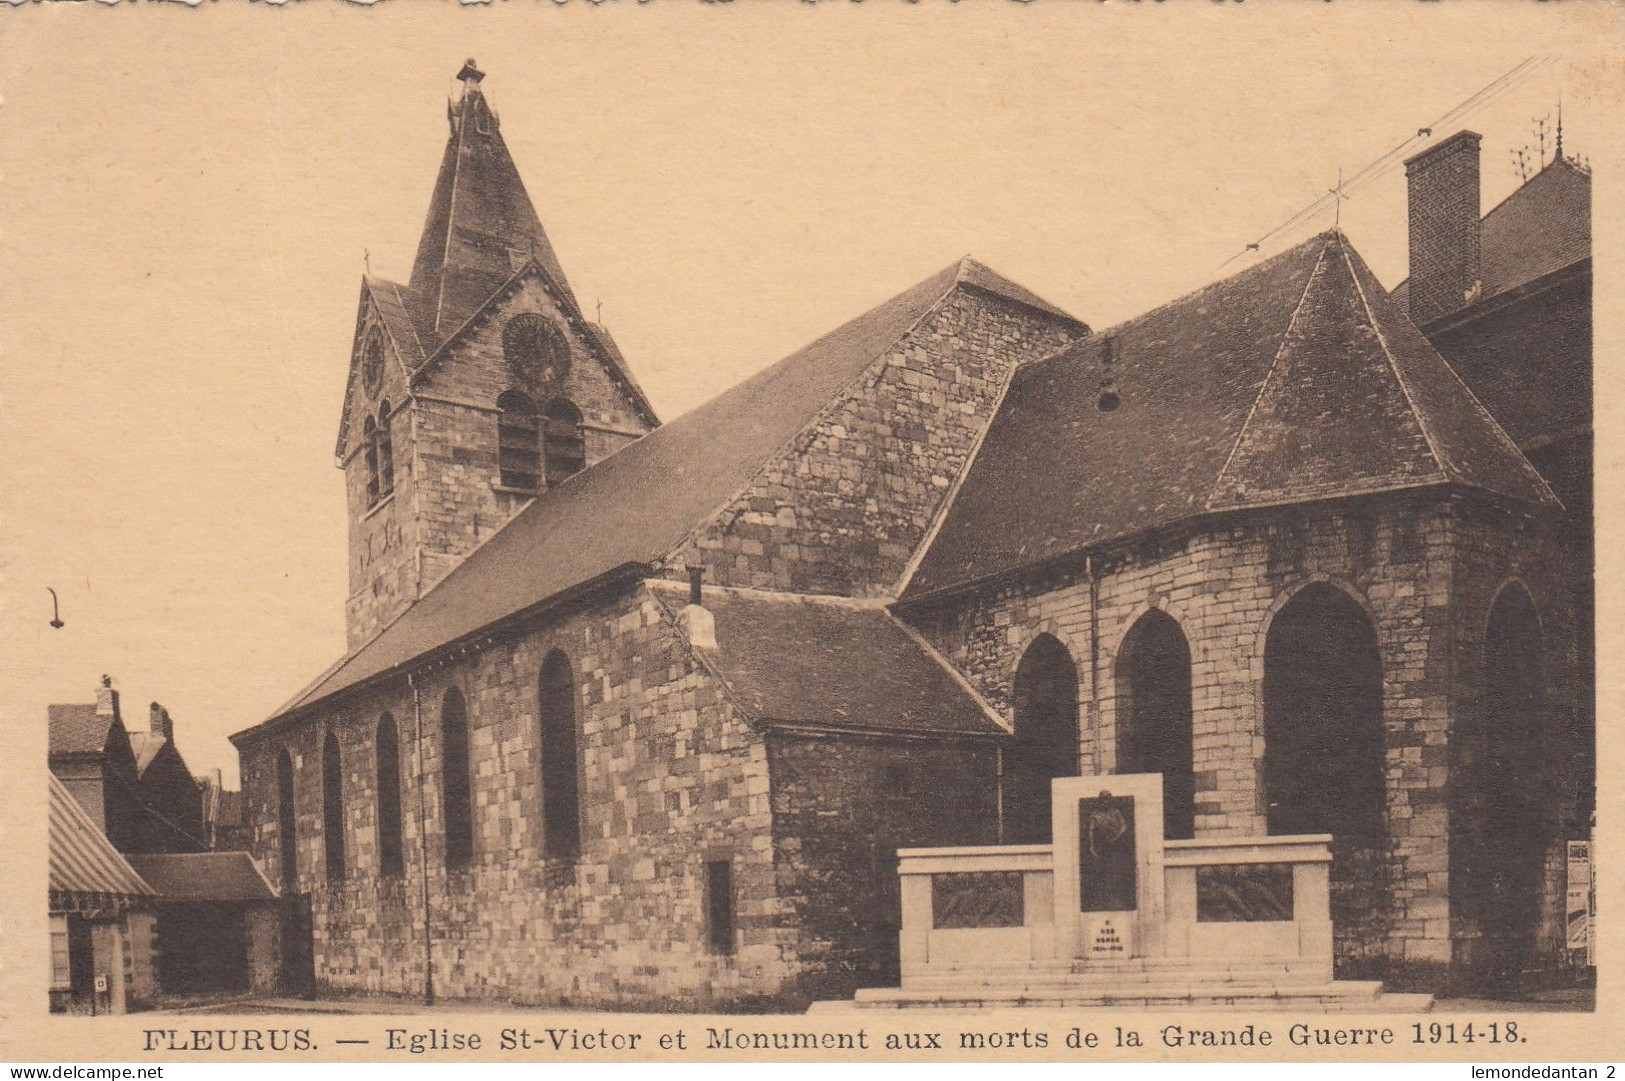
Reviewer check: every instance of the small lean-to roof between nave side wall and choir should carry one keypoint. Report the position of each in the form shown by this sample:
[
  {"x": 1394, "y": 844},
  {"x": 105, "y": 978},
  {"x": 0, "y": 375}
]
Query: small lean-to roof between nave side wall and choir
[{"x": 830, "y": 662}]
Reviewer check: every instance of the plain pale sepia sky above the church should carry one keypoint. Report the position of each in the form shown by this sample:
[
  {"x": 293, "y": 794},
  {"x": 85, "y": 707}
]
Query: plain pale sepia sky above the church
[{"x": 193, "y": 196}]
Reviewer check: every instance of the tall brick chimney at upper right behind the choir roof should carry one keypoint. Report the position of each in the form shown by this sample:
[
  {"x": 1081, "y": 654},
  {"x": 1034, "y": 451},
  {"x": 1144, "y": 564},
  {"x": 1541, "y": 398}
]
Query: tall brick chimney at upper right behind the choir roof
[{"x": 1444, "y": 185}]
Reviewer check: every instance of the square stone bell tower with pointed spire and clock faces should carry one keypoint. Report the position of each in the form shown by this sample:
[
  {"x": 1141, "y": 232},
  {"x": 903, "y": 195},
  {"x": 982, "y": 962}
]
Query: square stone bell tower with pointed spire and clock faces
[{"x": 477, "y": 388}]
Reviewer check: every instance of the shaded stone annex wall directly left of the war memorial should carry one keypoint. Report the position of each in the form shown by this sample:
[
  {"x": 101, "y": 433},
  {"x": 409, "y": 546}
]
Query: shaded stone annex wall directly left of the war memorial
[{"x": 843, "y": 807}]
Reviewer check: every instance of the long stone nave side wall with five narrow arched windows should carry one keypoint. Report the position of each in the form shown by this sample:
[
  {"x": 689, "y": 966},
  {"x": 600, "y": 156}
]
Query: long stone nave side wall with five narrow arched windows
[{"x": 670, "y": 779}]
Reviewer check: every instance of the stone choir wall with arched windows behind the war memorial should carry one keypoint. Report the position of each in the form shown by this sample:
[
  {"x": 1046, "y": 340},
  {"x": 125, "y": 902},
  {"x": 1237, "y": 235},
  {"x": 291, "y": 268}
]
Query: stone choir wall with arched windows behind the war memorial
[{"x": 1400, "y": 557}]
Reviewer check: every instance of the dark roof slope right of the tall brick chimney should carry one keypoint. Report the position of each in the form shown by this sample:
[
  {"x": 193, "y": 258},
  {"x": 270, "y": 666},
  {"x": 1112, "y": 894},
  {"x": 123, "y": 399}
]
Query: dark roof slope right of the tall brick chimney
[{"x": 1541, "y": 228}]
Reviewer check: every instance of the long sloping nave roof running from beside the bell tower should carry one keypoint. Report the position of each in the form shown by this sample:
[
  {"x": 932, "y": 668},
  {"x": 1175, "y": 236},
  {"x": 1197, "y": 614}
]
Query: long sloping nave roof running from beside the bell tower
[{"x": 644, "y": 500}]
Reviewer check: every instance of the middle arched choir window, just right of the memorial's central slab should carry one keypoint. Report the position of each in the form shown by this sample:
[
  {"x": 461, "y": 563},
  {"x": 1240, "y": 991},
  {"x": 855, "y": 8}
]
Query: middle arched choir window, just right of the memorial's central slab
[{"x": 1155, "y": 716}]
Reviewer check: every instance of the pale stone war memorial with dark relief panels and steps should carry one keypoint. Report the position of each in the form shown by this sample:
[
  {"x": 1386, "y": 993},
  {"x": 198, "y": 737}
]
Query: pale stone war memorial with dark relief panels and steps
[{"x": 1111, "y": 914}]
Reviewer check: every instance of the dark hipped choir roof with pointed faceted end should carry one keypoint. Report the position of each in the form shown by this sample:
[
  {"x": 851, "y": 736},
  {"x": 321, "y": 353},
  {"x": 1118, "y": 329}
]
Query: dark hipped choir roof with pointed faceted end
[{"x": 1293, "y": 381}]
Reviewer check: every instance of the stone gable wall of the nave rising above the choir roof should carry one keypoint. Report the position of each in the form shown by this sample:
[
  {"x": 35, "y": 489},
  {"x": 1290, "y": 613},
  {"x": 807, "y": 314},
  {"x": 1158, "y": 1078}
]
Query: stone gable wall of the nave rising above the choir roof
[{"x": 844, "y": 506}]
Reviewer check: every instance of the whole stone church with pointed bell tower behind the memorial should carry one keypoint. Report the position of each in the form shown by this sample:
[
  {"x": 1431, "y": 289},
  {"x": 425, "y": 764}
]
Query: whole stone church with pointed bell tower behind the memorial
[{"x": 638, "y": 714}]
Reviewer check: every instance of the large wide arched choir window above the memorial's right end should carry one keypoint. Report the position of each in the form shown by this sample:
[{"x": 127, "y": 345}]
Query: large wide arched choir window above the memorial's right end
[{"x": 1325, "y": 755}]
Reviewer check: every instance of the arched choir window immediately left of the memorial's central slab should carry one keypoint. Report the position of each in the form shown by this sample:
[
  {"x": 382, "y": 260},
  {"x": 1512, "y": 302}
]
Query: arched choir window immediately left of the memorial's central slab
[{"x": 1047, "y": 739}]
